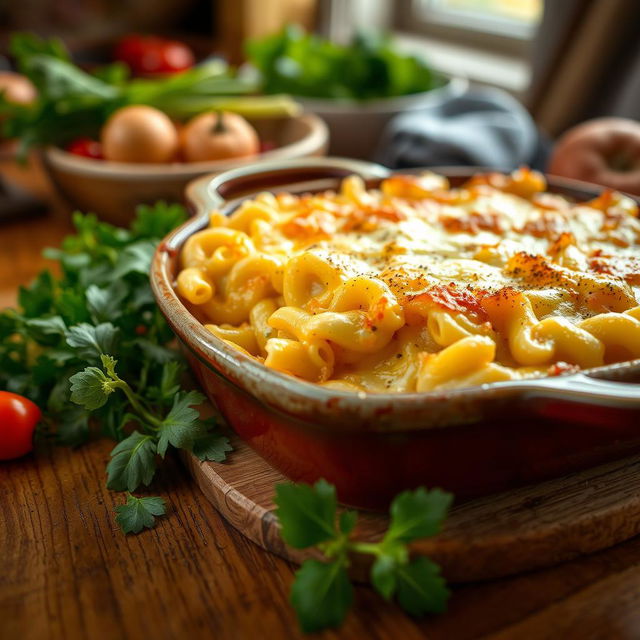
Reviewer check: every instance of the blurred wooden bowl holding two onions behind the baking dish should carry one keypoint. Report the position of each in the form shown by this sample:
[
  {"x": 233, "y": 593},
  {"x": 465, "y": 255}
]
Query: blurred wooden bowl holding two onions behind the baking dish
[{"x": 112, "y": 190}]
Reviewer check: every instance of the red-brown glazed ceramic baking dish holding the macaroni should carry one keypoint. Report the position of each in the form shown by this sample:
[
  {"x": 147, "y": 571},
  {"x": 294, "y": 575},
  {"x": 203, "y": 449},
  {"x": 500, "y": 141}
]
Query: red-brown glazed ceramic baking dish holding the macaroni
[{"x": 470, "y": 441}]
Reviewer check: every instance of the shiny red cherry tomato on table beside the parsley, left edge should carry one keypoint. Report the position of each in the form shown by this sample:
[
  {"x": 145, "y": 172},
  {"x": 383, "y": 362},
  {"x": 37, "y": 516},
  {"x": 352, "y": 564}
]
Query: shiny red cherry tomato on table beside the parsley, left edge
[{"x": 18, "y": 419}]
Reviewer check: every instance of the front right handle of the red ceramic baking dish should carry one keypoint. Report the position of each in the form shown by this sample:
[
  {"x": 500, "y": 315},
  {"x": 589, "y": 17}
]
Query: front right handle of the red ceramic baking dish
[{"x": 584, "y": 389}]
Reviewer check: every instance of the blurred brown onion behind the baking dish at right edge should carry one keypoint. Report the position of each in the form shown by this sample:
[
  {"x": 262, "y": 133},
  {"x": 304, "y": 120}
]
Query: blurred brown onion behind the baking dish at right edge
[{"x": 605, "y": 151}]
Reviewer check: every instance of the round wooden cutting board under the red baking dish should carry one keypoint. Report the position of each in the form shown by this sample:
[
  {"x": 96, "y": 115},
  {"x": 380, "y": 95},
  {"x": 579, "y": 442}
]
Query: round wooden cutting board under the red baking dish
[{"x": 490, "y": 537}]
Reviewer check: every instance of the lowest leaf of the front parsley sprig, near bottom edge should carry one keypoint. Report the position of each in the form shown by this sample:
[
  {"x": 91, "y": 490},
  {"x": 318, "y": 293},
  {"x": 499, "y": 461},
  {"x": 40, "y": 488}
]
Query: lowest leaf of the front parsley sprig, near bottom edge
[{"x": 321, "y": 595}]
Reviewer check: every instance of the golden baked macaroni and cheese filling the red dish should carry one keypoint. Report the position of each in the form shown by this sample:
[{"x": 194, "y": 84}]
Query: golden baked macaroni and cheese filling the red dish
[{"x": 417, "y": 286}]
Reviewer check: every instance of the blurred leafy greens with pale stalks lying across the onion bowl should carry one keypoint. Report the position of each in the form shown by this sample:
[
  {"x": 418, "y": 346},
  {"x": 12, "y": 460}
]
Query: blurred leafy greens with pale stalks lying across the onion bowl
[{"x": 72, "y": 102}]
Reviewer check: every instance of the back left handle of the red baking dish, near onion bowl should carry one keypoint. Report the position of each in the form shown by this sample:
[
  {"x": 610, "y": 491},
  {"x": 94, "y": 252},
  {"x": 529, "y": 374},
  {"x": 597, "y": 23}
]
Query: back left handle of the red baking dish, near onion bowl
[{"x": 285, "y": 173}]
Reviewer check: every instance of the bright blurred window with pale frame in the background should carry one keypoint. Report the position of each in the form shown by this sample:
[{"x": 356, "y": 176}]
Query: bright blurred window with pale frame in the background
[{"x": 485, "y": 41}]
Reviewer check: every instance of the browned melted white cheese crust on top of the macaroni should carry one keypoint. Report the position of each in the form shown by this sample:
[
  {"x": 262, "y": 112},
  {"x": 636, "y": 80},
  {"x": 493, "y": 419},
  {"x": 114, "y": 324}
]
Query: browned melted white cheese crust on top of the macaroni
[{"x": 474, "y": 240}]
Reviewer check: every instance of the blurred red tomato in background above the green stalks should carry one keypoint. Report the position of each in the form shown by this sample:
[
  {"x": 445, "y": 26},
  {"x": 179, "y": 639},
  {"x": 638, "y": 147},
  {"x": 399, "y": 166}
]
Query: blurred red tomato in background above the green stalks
[{"x": 151, "y": 54}]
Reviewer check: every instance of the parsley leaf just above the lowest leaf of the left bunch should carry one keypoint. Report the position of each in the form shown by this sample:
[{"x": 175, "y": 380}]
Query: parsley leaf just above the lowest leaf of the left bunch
[{"x": 132, "y": 463}]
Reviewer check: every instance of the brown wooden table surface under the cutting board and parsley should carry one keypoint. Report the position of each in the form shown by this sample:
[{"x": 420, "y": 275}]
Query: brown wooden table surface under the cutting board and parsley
[{"x": 67, "y": 573}]
